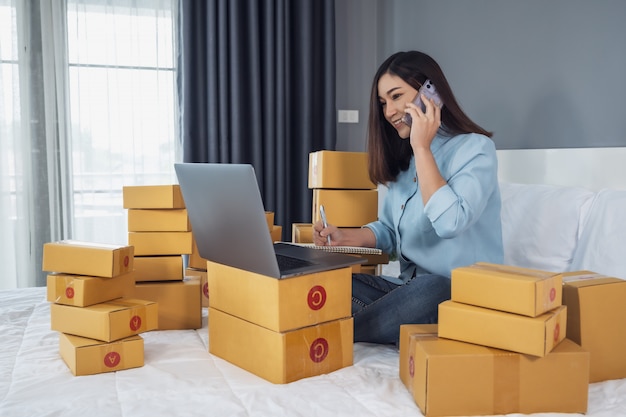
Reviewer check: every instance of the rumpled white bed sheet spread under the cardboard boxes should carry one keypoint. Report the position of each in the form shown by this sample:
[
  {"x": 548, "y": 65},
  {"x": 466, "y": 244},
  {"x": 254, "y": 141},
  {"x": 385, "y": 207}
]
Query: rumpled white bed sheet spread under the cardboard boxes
[{"x": 180, "y": 378}]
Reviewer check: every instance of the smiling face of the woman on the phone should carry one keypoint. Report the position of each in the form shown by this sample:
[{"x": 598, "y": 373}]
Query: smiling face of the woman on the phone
[{"x": 393, "y": 94}]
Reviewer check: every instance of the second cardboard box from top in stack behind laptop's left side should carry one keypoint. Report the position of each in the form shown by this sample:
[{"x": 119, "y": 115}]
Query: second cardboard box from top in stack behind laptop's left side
[{"x": 158, "y": 220}]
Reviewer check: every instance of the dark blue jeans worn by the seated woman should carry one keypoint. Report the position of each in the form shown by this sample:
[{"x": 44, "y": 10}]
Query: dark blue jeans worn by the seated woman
[{"x": 379, "y": 307}]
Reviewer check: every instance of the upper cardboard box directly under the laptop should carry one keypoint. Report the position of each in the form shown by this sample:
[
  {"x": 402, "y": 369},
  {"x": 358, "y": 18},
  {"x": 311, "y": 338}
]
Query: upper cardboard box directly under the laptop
[{"x": 281, "y": 304}]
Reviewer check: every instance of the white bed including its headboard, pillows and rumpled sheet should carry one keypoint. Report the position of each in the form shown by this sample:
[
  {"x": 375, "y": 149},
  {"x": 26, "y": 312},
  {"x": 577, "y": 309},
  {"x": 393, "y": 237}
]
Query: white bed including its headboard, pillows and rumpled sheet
[{"x": 180, "y": 377}]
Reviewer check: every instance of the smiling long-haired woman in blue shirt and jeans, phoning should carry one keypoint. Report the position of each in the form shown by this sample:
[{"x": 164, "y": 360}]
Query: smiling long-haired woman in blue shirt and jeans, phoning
[{"x": 442, "y": 207}]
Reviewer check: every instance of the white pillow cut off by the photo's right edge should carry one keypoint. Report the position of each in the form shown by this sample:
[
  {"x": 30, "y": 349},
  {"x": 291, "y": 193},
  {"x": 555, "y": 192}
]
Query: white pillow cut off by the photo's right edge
[{"x": 602, "y": 244}]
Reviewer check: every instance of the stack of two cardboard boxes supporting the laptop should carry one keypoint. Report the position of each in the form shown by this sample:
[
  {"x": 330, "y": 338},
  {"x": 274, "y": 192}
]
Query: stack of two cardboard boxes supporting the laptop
[{"x": 281, "y": 329}]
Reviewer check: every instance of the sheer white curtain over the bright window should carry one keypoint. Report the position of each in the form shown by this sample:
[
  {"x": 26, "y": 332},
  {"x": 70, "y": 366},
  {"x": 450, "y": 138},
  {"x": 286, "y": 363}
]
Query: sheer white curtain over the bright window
[{"x": 87, "y": 106}]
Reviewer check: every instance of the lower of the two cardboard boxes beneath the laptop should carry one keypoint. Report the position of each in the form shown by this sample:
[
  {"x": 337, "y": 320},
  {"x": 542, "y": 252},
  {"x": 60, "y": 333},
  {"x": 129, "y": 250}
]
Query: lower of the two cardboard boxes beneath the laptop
[{"x": 281, "y": 357}]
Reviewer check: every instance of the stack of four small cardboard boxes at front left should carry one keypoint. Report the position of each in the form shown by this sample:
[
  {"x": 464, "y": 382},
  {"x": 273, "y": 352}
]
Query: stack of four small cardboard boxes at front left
[{"x": 99, "y": 325}]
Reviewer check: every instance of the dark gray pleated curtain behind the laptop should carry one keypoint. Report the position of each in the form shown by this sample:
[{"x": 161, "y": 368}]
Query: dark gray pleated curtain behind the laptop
[{"x": 257, "y": 85}]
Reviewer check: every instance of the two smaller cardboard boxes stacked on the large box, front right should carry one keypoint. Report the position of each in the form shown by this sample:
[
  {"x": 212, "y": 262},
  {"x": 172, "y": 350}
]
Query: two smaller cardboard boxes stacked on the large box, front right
[{"x": 505, "y": 307}]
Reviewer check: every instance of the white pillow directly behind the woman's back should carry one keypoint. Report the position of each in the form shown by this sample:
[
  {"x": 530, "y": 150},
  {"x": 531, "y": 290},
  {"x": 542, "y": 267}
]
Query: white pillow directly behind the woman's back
[{"x": 541, "y": 223}]
